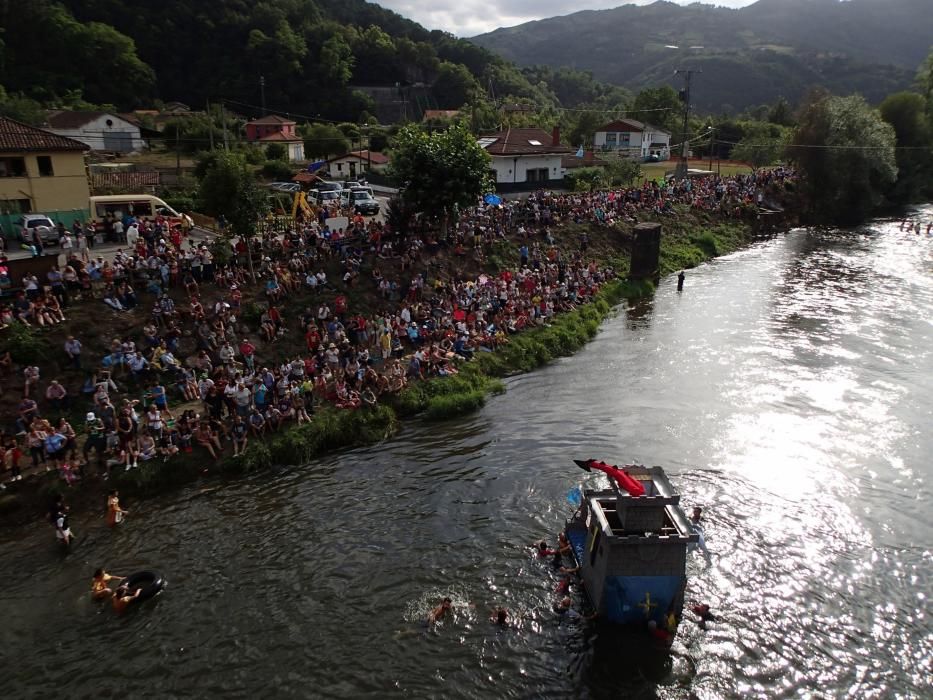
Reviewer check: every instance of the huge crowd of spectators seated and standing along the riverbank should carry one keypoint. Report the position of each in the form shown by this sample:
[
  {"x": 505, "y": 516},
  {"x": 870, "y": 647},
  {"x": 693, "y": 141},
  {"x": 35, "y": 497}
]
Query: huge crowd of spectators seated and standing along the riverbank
[{"x": 239, "y": 360}]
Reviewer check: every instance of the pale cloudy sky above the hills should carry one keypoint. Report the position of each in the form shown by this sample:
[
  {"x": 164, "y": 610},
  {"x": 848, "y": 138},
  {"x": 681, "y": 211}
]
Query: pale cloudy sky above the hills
[{"x": 471, "y": 17}]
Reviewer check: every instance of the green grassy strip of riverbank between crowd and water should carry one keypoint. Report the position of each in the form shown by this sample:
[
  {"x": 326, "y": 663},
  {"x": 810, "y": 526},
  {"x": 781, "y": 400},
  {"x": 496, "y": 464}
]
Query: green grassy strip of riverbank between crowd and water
[{"x": 689, "y": 238}]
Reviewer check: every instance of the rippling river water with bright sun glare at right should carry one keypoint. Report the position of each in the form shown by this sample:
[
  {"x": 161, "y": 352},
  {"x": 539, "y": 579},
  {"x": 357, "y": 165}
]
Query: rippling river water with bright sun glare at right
[{"x": 788, "y": 390}]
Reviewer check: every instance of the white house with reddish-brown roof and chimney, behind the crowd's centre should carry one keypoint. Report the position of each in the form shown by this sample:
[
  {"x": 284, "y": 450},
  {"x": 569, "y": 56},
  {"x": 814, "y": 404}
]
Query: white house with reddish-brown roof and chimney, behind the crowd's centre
[{"x": 525, "y": 156}]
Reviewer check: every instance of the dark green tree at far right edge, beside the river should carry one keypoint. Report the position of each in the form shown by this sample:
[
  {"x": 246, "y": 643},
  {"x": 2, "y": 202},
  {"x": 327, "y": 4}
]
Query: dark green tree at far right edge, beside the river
[{"x": 906, "y": 113}]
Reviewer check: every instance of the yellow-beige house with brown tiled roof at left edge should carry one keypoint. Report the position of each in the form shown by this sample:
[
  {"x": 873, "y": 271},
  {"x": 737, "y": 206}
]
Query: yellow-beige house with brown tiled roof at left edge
[{"x": 40, "y": 172}]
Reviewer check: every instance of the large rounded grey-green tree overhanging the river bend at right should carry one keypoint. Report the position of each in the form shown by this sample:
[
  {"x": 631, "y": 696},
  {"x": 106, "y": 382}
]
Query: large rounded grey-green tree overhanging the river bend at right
[{"x": 845, "y": 152}]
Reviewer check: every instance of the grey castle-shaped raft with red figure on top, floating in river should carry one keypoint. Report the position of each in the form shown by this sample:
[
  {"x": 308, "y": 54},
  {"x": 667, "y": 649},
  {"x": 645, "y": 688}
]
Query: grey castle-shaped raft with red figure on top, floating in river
[{"x": 630, "y": 542}]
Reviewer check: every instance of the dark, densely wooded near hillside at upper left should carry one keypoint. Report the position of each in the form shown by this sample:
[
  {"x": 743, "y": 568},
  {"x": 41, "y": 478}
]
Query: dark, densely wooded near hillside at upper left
[{"x": 317, "y": 57}]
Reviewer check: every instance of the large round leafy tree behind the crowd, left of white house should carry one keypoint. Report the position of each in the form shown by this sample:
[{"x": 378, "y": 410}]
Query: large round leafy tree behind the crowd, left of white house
[{"x": 440, "y": 172}]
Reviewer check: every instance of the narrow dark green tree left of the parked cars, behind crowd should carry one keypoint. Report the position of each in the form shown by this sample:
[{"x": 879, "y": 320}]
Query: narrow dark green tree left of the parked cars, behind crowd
[{"x": 228, "y": 187}]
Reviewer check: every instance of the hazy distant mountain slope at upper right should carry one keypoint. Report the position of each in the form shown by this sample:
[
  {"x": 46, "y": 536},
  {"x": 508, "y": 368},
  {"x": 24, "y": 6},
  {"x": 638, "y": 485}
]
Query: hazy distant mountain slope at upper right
[{"x": 751, "y": 56}]
